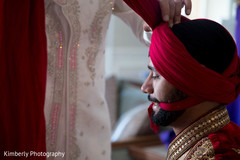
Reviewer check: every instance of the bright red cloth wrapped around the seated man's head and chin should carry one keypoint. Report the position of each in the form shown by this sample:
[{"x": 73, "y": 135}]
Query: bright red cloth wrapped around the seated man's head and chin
[{"x": 178, "y": 67}]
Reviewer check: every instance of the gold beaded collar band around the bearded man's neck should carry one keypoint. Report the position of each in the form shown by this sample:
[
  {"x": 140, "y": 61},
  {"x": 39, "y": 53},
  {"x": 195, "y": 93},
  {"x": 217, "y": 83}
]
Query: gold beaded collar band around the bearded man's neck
[{"x": 196, "y": 131}]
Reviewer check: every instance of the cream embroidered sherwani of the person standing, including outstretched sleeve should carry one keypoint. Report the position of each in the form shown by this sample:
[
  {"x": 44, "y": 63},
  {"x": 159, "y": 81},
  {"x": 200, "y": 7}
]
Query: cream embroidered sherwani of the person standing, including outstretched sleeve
[{"x": 77, "y": 117}]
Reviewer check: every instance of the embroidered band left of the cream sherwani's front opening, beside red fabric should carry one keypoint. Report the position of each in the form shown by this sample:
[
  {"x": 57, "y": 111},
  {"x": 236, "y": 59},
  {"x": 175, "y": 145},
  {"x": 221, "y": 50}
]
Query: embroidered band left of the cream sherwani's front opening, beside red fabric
[{"x": 55, "y": 74}]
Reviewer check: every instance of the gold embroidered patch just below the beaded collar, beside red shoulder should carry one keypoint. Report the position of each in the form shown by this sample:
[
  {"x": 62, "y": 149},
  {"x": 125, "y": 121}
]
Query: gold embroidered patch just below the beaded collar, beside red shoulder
[{"x": 203, "y": 150}]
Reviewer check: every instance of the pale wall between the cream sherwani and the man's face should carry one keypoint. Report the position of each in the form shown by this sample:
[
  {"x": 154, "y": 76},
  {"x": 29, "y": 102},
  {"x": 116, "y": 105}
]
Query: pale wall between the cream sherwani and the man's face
[{"x": 126, "y": 56}]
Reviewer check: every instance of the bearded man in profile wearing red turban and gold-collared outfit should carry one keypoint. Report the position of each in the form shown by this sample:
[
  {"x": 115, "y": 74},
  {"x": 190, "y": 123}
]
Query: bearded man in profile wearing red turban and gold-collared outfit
[{"x": 194, "y": 73}]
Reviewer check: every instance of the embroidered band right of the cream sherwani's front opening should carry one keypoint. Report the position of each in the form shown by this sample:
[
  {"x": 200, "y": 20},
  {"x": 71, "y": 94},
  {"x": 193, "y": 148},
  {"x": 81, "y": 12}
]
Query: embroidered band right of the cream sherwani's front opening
[{"x": 72, "y": 11}]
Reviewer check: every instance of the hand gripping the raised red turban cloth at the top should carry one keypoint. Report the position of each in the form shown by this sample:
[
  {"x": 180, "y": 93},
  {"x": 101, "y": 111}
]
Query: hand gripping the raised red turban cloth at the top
[{"x": 171, "y": 11}]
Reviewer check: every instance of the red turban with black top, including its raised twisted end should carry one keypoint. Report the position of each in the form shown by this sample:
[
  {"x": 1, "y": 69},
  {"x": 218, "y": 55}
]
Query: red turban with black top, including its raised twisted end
[{"x": 198, "y": 57}]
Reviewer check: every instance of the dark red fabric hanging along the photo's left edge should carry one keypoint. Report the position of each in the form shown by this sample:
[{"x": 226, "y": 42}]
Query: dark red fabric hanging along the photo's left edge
[{"x": 23, "y": 61}]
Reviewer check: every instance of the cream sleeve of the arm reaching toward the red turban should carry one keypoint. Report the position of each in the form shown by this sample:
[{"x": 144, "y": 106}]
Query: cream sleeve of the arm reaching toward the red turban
[{"x": 134, "y": 21}]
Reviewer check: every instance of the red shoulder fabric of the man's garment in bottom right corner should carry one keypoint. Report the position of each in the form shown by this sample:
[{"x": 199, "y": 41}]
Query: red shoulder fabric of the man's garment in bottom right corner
[{"x": 224, "y": 142}]
